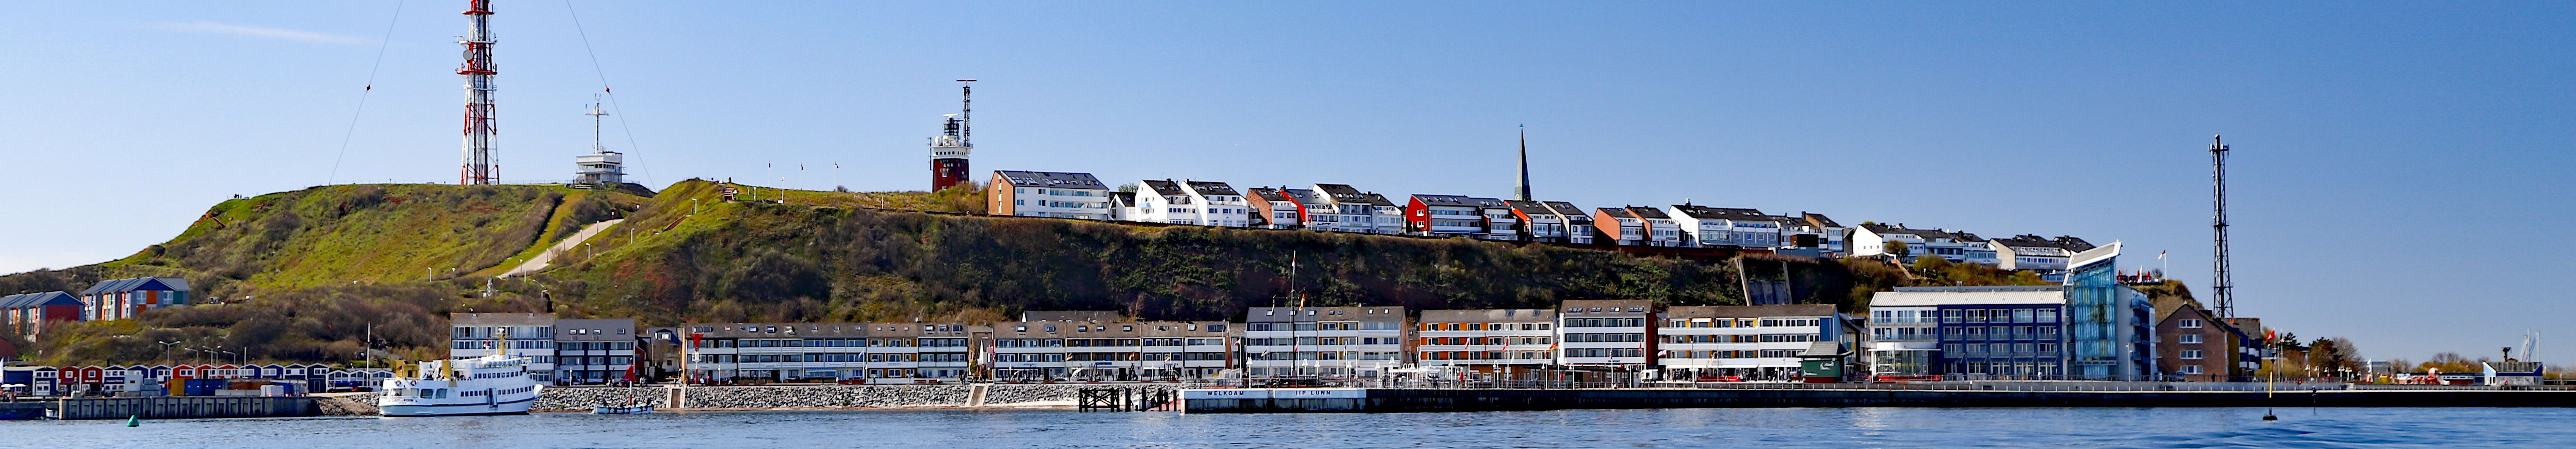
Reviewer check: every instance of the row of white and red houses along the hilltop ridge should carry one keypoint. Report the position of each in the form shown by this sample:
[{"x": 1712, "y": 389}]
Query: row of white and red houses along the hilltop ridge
[{"x": 1338, "y": 208}]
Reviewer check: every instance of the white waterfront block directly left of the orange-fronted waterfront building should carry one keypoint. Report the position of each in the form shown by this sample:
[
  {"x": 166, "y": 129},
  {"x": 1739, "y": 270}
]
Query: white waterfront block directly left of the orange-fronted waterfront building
[{"x": 1325, "y": 342}]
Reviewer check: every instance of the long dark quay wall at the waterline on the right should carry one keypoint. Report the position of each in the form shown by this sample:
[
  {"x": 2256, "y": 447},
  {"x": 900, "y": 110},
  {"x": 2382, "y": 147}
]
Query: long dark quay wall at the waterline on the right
[{"x": 1428, "y": 401}]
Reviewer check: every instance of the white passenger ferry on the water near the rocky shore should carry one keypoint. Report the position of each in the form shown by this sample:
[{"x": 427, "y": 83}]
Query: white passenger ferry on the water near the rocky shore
[{"x": 488, "y": 386}]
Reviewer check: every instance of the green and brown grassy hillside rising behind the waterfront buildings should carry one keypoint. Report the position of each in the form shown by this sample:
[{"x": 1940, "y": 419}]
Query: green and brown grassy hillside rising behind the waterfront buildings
[{"x": 305, "y": 275}]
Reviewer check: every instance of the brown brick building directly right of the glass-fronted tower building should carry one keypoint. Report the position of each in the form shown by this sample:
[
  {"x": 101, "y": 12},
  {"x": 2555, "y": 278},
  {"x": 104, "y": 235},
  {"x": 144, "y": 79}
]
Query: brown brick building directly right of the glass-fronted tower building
[{"x": 2199, "y": 347}]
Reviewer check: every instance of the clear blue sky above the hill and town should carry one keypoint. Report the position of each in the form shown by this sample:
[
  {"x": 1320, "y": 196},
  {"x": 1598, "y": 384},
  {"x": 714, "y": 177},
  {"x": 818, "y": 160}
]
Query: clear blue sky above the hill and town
[{"x": 2384, "y": 154}]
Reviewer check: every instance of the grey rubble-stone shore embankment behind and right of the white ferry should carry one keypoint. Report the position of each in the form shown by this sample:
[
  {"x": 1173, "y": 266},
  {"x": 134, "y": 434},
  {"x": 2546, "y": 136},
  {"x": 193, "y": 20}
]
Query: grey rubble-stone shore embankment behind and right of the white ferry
[{"x": 800, "y": 396}]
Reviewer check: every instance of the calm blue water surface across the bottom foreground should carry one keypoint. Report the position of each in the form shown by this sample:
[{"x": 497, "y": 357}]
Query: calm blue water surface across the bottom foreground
[{"x": 1689, "y": 427}]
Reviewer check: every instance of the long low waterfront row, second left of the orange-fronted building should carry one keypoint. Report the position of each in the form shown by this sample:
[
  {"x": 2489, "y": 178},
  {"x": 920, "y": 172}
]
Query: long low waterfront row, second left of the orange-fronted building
[{"x": 1101, "y": 350}]
